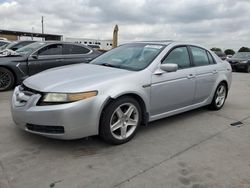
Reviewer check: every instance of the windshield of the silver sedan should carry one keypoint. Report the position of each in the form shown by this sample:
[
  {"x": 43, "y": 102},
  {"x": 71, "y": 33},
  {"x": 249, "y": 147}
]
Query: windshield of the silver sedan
[{"x": 135, "y": 56}]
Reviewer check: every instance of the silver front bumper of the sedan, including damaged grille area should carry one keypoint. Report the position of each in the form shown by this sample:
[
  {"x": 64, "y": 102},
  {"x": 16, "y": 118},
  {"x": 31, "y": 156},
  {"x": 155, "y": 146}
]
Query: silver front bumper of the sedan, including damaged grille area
[{"x": 64, "y": 121}]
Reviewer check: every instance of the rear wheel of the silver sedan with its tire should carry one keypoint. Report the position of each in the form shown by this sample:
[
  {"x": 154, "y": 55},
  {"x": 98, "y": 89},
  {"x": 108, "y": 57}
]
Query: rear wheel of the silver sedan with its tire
[{"x": 219, "y": 98}]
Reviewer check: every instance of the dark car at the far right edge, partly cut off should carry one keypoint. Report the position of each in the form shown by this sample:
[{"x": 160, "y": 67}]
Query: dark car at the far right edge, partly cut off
[{"x": 240, "y": 61}]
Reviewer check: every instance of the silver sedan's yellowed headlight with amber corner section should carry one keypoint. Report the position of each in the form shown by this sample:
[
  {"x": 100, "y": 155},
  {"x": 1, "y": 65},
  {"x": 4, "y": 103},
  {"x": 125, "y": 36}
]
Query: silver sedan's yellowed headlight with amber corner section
[{"x": 67, "y": 97}]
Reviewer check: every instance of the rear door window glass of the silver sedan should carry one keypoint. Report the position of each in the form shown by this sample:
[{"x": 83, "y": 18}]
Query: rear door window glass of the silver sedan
[{"x": 199, "y": 56}]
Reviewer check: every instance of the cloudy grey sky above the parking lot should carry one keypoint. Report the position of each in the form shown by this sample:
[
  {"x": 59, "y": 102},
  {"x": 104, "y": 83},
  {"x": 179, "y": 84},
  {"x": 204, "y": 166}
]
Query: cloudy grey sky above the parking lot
[{"x": 212, "y": 23}]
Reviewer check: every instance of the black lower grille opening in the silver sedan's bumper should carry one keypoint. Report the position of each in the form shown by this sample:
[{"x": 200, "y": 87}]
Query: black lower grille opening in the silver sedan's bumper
[{"x": 45, "y": 129}]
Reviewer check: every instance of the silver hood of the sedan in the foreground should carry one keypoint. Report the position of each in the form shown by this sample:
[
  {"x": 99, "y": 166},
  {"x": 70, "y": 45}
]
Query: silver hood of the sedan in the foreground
[{"x": 73, "y": 78}]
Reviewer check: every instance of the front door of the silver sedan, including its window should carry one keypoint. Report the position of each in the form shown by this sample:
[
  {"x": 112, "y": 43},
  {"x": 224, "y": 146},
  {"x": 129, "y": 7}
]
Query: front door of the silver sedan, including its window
[{"x": 173, "y": 90}]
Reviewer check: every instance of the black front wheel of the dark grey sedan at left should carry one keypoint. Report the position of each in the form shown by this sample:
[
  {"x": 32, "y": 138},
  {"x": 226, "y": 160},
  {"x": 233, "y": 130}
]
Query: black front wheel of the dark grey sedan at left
[{"x": 7, "y": 79}]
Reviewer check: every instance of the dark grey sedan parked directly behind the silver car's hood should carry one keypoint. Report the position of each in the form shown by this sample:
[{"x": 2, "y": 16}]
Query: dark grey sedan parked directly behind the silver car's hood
[{"x": 39, "y": 56}]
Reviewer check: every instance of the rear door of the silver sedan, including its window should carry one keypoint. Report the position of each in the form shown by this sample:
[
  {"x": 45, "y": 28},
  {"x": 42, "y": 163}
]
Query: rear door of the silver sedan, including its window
[{"x": 206, "y": 73}]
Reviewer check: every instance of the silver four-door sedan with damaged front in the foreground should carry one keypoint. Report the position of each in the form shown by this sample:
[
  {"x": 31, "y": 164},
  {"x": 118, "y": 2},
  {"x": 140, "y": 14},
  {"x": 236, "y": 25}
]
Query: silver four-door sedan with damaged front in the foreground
[{"x": 129, "y": 86}]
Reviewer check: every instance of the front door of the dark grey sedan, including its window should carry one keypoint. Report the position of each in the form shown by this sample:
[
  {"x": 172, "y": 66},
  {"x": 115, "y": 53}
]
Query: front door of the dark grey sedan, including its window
[{"x": 48, "y": 57}]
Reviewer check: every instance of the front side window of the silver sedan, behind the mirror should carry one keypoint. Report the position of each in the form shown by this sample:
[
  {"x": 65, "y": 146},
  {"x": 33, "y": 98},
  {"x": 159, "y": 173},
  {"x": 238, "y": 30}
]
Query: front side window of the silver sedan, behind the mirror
[{"x": 178, "y": 56}]
